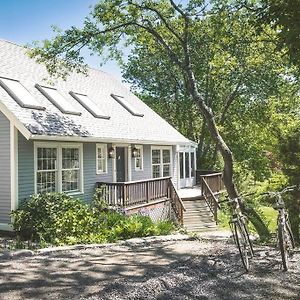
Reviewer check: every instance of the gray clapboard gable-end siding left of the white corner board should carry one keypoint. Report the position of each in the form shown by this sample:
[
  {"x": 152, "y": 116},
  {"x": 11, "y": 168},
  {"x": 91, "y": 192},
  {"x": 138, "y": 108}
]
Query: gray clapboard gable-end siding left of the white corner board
[{"x": 5, "y": 184}]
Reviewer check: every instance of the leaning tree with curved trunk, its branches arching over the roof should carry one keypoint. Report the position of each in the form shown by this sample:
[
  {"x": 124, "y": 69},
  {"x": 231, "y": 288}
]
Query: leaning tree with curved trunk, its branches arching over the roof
[{"x": 164, "y": 26}]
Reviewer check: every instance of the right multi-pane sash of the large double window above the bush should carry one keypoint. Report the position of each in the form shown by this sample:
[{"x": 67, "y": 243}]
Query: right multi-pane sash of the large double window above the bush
[{"x": 70, "y": 169}]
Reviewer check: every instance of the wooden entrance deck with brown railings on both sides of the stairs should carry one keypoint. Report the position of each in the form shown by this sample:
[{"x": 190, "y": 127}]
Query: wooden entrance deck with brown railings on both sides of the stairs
[{"x": 124, "y": 195}]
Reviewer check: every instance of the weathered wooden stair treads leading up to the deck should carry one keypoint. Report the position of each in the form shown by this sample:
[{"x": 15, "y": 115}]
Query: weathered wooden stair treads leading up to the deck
[{"x": 197, "y": 216}]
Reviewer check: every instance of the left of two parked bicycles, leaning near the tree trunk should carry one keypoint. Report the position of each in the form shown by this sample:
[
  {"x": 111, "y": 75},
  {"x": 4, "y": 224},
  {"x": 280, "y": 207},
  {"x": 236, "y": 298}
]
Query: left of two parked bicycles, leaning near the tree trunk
[{"x": 240, "y": 232}]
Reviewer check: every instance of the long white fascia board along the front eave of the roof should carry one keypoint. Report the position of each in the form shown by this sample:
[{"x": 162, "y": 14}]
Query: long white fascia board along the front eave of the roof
[{"x": 105, "y": 140}]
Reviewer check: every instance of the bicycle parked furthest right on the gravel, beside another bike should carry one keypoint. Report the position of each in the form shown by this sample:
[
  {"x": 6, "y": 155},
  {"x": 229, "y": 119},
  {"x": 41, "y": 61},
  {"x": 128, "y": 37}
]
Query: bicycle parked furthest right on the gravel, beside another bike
[{"x": 285, "y": 236}]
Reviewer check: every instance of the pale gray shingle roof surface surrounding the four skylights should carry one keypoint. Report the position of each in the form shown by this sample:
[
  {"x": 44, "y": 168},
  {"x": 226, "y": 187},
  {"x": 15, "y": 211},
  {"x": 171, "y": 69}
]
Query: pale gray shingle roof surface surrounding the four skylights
[{"x": 122, "y": 125}]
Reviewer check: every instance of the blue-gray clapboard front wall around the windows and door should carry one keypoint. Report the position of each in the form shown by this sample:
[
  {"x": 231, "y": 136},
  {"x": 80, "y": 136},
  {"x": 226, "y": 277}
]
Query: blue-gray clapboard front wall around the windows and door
[{"x": 90, "y": 177}]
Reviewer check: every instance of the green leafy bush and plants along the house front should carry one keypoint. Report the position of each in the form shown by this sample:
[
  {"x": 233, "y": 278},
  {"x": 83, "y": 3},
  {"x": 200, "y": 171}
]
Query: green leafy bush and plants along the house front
[{"x": 59, "y": 219}]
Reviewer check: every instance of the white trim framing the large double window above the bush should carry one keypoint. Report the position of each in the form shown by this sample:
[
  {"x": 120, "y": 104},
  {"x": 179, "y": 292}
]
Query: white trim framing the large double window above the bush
[{"x": 59, "y": 147}]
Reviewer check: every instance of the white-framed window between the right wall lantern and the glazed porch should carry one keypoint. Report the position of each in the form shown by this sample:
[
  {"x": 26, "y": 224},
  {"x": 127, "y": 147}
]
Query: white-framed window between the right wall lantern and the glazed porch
[{"x": 161, "y": 162}]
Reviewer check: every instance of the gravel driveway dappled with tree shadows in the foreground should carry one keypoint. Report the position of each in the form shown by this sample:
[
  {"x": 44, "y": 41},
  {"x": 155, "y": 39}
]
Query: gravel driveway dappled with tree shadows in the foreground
[{"x": 186, "y": 269}]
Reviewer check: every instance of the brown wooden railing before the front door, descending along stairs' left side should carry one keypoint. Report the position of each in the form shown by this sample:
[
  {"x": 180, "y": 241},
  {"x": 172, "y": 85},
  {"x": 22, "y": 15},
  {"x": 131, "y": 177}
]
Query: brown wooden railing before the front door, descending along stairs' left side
[{"x": 128, "y": 194}]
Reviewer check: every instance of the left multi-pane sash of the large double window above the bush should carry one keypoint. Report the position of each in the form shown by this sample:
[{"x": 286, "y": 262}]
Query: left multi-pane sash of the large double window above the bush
[{"x": 46, "y": 170}]
